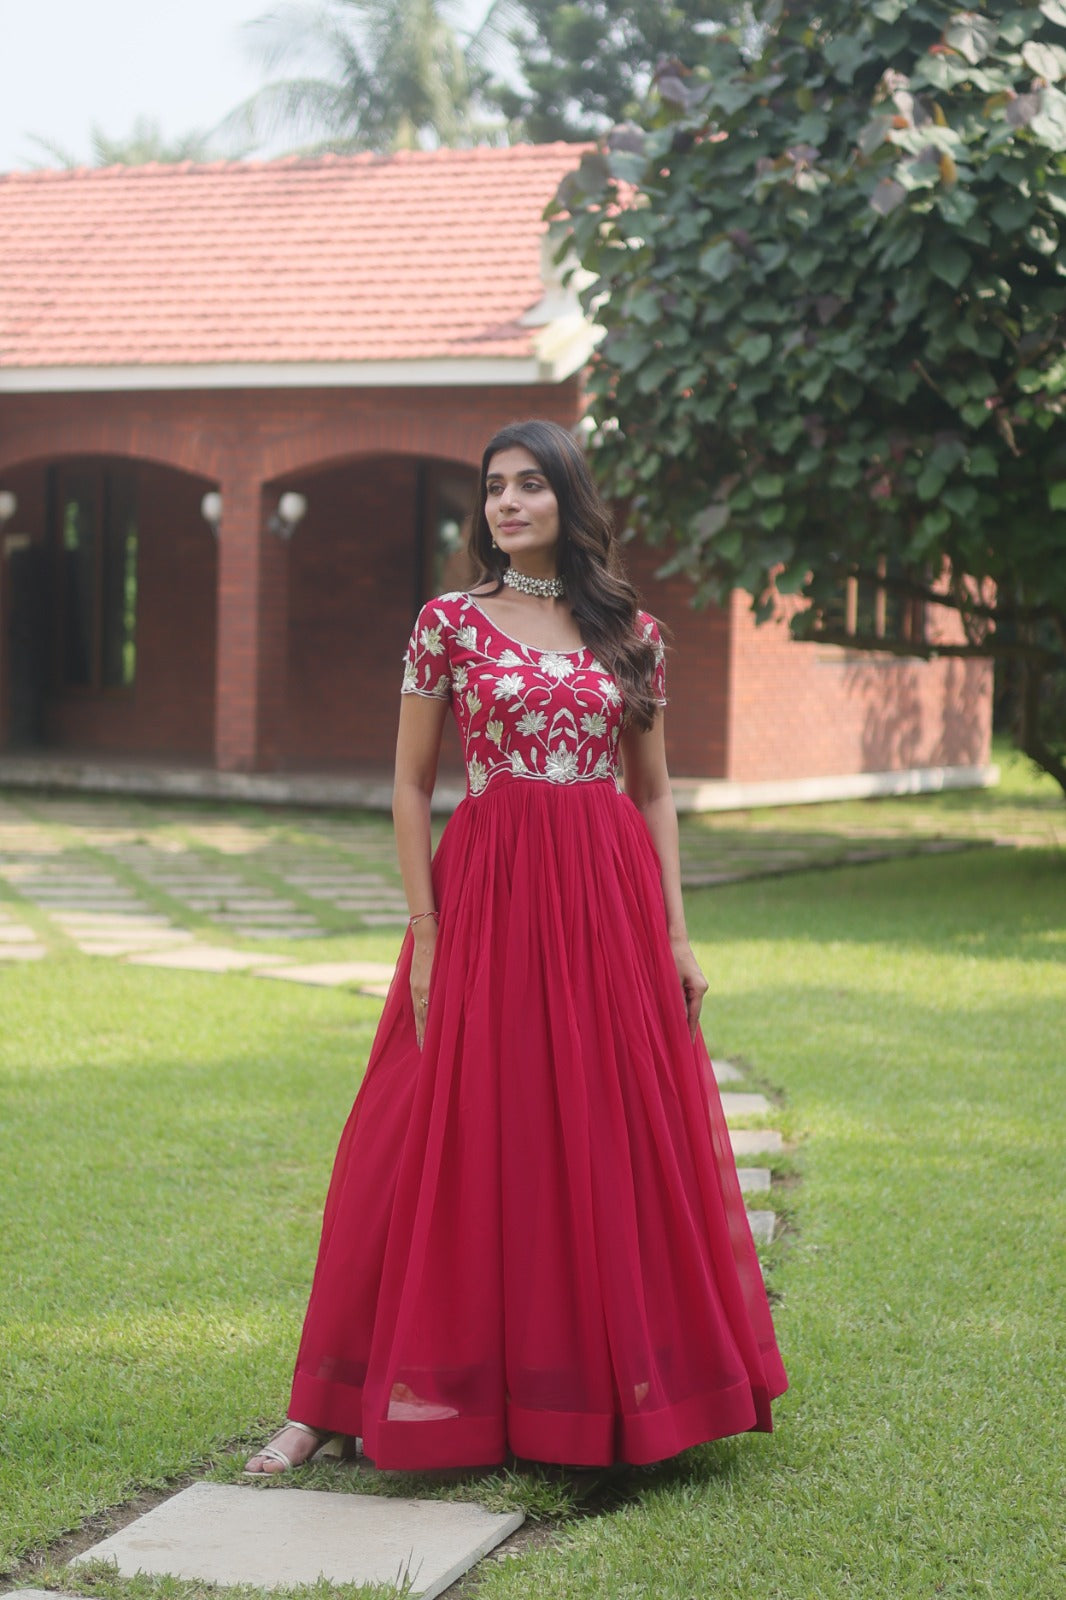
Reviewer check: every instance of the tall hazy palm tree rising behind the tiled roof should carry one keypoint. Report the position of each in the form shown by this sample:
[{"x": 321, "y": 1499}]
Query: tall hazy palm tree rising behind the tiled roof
[{"x": 380, "y": 74}]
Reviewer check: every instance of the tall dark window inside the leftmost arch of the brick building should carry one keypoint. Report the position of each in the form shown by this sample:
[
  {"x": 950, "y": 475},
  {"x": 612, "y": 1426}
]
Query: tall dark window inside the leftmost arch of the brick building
[{"x": 97, "y": 554}]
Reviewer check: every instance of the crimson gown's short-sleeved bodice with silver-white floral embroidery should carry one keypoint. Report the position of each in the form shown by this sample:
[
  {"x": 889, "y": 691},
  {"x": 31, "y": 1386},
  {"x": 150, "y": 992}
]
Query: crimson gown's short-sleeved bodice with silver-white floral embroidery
[{"x": 526, "y": 713}]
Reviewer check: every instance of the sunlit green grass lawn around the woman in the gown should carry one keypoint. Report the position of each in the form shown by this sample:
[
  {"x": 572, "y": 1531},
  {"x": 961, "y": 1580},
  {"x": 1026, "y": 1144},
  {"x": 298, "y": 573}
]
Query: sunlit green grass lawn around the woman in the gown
[{"x": 167, "y": 1143}]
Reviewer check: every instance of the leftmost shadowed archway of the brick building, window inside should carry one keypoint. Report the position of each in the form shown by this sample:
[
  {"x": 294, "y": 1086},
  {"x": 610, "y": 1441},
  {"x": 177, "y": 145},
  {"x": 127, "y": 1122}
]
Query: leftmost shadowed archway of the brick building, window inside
[{"x": 108, "y": 610}]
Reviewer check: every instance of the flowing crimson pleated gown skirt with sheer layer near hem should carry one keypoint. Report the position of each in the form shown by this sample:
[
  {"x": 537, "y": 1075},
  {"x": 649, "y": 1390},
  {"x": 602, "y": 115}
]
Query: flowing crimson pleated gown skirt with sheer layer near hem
[{"x": 535, "y": 1242}]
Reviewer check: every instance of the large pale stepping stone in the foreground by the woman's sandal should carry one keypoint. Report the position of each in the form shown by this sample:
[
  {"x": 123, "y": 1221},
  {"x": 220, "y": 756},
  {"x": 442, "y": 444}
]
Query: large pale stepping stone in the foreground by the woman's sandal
[{"x": 231, "y": 1535}]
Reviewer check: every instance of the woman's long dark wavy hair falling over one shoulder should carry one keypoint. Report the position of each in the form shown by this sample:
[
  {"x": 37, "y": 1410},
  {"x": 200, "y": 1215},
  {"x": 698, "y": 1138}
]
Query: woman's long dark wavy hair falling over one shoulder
[{"x": 601, "y": 598}]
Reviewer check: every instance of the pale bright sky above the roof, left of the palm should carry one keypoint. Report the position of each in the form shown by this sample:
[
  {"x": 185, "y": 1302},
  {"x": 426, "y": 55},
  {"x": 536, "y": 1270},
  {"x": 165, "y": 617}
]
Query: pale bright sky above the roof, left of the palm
[{"x": 70, "y": 65}]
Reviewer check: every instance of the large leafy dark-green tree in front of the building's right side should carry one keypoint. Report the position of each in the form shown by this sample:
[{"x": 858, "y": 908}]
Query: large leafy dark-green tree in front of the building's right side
[{"x": 835, "y": 298}]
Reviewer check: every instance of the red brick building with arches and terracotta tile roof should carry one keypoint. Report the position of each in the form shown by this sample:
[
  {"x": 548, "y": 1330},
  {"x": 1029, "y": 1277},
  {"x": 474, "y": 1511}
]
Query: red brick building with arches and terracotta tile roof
[{"x": 193, "y": 354}]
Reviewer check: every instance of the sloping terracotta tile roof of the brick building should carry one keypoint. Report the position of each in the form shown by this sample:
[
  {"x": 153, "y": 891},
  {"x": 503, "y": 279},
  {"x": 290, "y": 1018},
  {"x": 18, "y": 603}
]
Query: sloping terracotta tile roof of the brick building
[{"x": 361, "y": 258}]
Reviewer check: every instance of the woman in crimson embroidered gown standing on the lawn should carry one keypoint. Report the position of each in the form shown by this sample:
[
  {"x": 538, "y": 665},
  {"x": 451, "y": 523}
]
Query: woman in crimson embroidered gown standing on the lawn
[{"x": 535, "y": 1241}]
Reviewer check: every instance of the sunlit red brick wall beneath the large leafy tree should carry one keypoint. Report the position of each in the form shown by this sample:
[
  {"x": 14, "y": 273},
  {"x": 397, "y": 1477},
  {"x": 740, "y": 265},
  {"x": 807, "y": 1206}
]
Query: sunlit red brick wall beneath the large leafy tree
[{"x": 809, "y": 711}]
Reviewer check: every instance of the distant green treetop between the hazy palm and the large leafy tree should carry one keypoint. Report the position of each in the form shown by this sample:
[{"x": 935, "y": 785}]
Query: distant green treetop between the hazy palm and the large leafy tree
[{"x": 590, "y": 65}]
